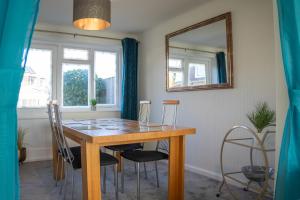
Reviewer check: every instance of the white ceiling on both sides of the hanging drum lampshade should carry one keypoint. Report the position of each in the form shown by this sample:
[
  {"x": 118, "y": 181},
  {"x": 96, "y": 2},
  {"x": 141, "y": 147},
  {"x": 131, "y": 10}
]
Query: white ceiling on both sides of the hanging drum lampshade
[{"x": 128, "y": 16}]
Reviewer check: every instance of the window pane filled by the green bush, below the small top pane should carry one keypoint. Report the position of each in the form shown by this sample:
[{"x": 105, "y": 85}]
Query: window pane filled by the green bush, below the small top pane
[{"x": 75, "y": 84}]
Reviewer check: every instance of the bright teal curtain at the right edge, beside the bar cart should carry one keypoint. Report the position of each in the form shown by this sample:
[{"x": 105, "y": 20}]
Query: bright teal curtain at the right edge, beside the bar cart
[{"x": 288, "y": 177}]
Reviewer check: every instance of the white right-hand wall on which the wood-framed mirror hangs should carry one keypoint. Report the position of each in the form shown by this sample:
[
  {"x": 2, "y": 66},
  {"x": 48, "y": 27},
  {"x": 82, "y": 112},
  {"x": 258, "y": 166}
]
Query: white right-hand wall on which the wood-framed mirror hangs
[{"x": 214, "y": 112}]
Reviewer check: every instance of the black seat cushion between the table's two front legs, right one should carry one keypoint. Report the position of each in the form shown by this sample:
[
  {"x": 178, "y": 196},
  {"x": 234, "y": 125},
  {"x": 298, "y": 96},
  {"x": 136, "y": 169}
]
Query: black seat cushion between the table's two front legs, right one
[{"x": 144, "y": 156}]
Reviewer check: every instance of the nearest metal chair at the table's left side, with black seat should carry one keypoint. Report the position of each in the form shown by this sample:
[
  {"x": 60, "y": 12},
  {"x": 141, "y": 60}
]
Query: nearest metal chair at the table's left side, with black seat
[{"x": 71, "y": 156}]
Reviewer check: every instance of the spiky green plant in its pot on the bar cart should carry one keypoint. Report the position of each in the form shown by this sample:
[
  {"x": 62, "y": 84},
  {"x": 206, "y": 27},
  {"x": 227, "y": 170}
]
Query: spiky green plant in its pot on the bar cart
[{"x": 261, "y": 118}]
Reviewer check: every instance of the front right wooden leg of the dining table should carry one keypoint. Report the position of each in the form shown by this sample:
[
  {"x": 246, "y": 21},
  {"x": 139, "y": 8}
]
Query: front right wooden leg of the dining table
[{"x": 176, "y": 168}]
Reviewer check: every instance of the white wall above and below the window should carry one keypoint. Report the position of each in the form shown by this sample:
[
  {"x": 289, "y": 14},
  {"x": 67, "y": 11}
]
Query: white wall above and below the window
[{"x": 38, "y": 137}]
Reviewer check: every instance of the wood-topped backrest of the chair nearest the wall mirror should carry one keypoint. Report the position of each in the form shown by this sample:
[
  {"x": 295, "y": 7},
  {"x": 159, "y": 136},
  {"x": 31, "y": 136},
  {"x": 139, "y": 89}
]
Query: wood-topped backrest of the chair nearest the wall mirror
[{"x": 169, "y": 115}]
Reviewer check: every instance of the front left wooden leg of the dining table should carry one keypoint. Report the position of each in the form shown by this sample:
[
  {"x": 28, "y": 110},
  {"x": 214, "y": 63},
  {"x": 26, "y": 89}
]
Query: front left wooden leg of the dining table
[{"x": 90, "y": 160}]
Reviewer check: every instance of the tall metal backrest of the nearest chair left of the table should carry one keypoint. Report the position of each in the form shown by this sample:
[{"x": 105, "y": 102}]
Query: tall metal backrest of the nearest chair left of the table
[{"x": 61, "y": 139}]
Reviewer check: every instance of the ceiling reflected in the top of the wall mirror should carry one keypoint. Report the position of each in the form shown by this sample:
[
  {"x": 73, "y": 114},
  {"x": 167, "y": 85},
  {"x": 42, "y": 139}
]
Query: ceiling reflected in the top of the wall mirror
[{"x": 212, "y": 35}]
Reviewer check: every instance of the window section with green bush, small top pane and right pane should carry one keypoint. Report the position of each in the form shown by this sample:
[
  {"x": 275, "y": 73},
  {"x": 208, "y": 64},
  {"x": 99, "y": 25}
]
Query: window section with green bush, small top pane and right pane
[{"x": 84, "y": 78}]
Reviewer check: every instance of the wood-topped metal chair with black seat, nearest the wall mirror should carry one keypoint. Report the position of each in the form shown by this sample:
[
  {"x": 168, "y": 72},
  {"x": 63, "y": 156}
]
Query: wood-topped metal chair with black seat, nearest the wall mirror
[{"x": 161, "y": 152}]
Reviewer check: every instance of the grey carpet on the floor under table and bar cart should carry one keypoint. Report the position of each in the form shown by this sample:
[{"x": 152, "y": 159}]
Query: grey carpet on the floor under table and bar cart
[{"x": 37, "y": 184}]
